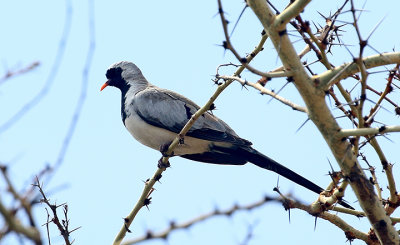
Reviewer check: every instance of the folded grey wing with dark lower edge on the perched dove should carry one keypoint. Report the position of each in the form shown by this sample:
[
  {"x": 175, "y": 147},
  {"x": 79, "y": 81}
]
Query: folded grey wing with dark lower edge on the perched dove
[{"x": 169, "y": 110}]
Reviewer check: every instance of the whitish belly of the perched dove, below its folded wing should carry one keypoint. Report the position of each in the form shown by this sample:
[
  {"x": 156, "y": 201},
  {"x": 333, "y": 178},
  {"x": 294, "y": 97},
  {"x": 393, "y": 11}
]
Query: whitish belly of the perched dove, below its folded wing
[{"x": 154, "y": 137}]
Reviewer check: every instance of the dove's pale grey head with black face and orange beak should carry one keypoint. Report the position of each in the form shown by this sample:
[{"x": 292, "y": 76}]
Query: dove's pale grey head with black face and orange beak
[{"x": 123, "y": 75}]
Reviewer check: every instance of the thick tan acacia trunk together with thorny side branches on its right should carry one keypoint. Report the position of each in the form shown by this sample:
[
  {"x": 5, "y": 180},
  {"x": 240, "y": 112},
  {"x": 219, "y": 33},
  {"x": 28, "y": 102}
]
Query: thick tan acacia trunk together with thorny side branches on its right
[{"x": 313, "y": 88}]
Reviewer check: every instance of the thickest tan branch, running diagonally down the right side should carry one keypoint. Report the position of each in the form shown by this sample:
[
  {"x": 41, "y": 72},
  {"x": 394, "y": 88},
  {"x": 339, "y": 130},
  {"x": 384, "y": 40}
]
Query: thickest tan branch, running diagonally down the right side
[{"x": 320, "y": 114}]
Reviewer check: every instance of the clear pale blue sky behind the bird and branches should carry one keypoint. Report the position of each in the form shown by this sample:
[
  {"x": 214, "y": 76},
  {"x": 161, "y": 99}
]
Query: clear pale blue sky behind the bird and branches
[{"x": 176, "y": 45}]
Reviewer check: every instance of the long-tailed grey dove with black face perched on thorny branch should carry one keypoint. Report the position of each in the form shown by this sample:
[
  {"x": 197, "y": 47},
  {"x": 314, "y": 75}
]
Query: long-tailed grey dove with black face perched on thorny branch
[{"x": 154, "y": 116}]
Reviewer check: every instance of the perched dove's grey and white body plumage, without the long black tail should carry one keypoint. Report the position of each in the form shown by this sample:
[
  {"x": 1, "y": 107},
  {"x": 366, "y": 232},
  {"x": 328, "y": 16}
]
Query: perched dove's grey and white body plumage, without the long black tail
[{"x": 166, "y": 113}]
